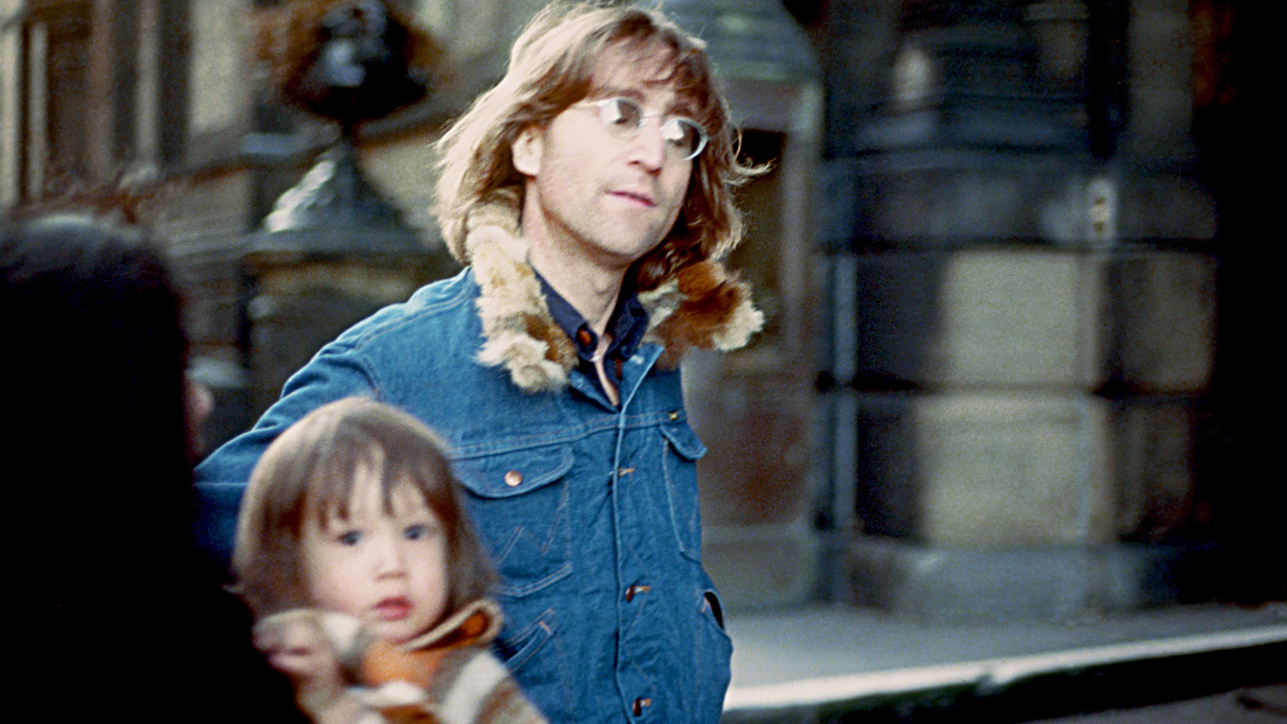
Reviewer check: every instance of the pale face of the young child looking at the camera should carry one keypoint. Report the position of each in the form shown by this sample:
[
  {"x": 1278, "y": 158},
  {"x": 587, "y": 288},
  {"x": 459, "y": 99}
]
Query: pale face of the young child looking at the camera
[{"x": 388, "y": 570}]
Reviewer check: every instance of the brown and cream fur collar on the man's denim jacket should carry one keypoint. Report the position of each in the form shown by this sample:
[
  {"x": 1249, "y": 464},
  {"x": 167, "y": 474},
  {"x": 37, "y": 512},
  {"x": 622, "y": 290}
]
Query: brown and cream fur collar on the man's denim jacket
[{"x": 702, "y": 305}]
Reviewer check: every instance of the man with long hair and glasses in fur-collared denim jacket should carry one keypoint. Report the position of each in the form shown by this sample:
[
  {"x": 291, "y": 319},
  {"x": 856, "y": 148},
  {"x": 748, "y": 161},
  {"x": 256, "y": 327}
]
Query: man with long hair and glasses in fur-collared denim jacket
[{"x": 589, "y": 195}]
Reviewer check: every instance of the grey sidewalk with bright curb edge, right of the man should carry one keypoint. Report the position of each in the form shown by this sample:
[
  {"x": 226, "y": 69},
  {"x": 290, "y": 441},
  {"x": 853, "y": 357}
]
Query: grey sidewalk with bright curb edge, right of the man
[{"x": 818, "y": 664}]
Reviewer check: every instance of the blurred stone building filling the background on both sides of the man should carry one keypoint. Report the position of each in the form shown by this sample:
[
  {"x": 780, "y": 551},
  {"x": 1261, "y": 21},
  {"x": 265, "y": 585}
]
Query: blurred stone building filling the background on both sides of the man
[{"x": 1014, "y": 361}]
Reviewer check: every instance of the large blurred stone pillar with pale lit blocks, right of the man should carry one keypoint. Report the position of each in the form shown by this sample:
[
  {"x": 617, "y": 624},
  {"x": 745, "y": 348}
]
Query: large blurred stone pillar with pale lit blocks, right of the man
[{"x": 1021, "y": 327}]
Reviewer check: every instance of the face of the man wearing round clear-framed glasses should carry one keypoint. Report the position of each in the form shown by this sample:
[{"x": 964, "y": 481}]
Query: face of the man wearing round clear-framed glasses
[{"x": 593, "y": 194}]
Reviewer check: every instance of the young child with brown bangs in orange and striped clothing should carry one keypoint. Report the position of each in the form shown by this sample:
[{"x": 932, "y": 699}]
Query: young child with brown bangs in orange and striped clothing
[{"x": 366, "y": 577}]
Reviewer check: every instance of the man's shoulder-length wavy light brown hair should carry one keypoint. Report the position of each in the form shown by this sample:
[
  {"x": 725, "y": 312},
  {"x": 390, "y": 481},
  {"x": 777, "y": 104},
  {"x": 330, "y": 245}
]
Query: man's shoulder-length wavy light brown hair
[{"x": 553, "y": 68}]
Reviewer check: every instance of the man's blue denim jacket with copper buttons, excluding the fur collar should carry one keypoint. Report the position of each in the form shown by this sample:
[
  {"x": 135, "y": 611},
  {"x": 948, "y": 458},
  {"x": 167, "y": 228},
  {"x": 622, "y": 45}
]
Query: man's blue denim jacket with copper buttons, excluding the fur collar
[{"x": 608, "y": 609}]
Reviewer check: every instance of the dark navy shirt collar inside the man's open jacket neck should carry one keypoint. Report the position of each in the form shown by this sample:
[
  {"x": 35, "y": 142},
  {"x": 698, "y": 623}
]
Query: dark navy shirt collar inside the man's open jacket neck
[{"x": 626, "y": 329}]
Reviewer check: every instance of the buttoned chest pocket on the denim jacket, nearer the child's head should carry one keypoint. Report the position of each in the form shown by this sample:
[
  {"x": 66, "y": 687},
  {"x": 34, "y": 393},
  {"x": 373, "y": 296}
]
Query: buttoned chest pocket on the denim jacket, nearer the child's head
[{"x": 519, "y": 506}]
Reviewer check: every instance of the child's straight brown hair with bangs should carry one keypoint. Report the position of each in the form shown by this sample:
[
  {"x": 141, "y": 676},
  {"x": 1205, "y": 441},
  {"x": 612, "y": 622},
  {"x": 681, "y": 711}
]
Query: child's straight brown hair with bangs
[{"x": 310, "y": 470}]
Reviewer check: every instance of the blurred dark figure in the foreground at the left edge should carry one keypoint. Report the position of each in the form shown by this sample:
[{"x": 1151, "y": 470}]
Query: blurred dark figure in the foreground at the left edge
[{"x": 114, "y": 611}]
